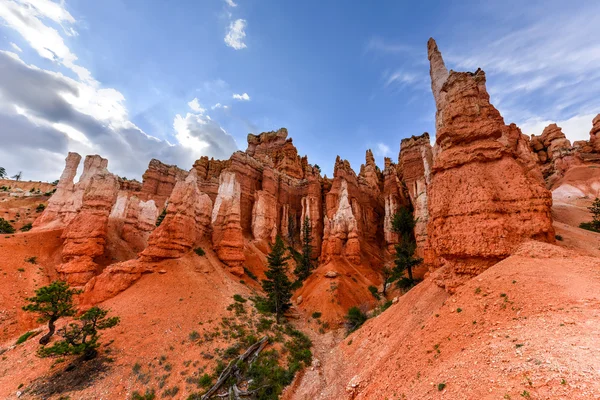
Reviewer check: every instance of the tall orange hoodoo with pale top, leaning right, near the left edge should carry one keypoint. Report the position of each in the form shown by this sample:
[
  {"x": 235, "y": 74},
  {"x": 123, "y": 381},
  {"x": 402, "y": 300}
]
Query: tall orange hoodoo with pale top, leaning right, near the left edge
[{"x": 85, "y": 236}]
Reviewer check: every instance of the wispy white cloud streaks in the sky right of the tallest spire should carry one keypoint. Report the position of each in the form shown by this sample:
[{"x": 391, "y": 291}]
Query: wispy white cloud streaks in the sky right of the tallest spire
[{"x": 543, "y": 71}]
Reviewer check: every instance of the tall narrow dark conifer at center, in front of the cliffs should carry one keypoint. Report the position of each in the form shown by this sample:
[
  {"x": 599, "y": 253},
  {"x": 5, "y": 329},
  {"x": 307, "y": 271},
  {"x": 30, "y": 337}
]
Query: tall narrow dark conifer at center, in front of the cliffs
[{"x": 278, "y": 286}]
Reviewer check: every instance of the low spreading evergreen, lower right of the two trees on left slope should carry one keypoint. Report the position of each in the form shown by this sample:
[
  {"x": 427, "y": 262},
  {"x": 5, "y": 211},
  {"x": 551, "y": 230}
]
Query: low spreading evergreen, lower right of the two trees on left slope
[{"x": 81, "y": 338}]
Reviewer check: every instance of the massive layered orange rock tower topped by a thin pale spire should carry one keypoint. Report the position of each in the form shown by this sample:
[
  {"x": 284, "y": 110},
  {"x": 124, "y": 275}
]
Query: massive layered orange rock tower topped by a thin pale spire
[{"x": 484, "y": 198}]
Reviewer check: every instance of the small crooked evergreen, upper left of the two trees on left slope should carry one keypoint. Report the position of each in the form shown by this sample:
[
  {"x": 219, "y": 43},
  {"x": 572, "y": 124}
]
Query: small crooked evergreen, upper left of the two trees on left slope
[{"x": 51, "y": 303}]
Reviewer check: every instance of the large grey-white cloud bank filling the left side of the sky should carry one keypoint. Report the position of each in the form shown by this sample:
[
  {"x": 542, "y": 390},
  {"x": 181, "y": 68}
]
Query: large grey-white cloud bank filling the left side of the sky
[{"x": 44, "y": 114}]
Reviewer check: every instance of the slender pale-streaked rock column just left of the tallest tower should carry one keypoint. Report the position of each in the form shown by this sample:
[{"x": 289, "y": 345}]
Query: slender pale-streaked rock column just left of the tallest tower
[{"x": 415, "y": 162}]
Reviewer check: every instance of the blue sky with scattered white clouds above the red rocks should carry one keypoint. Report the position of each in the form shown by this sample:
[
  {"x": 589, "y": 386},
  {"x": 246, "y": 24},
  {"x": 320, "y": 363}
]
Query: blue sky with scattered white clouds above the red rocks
[{"x": 133, "y": 80}]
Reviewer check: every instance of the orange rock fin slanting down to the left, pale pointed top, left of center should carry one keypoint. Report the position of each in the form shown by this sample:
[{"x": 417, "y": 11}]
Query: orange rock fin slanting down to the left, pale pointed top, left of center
[{"x": 186, "y": 224}]
